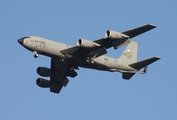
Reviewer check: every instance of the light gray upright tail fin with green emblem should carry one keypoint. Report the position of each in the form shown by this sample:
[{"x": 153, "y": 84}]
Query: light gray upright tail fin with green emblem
[{"x": 130, "y": 54}]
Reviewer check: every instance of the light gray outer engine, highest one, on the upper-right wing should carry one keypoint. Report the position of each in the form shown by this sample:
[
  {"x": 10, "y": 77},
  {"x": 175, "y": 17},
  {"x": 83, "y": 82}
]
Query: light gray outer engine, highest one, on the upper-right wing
[{"x": 115, "y": 35}]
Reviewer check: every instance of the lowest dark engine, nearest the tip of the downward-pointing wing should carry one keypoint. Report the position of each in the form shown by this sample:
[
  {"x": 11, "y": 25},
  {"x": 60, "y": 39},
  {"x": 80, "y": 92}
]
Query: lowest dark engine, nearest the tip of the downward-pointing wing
[{"x": 43, "y": 83}]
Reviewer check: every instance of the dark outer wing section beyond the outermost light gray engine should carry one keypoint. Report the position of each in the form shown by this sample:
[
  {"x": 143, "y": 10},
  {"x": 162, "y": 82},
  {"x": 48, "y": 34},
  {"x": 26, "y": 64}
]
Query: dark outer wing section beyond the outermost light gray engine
[{"x": 137, "y": 31}]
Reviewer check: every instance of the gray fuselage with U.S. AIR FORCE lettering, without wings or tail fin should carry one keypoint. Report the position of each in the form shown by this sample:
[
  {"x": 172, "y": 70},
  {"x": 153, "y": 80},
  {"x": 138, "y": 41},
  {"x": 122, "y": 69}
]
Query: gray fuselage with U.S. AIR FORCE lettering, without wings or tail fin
[{"x": 52, "y": 49}]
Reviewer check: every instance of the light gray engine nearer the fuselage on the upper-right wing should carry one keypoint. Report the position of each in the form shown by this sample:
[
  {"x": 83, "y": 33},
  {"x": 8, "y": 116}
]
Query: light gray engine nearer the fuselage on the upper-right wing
[{"x": 86, "y": 43}]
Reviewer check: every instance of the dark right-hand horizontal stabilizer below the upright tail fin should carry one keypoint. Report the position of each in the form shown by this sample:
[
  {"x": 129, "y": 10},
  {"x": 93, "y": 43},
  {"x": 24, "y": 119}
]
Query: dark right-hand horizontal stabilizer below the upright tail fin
[{"x": 143, "y": 63}]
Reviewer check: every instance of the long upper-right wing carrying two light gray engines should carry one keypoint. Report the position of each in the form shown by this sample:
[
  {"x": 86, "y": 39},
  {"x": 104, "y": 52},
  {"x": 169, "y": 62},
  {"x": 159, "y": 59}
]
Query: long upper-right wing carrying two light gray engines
[{"x": 112, "y": 39}]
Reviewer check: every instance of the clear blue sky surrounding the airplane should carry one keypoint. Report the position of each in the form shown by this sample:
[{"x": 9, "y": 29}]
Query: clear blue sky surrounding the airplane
[{"x": 92, "y": 95}]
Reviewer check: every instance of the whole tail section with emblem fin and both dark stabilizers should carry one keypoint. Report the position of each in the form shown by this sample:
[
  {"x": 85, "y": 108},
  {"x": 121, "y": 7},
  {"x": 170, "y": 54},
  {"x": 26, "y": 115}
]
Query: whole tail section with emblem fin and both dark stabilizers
[{"x": 129, "y": 58}]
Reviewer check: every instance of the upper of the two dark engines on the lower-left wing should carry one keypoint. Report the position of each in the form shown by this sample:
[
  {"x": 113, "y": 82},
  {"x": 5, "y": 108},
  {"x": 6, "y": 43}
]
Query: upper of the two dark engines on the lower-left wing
[{"x": 45, "y": 72}]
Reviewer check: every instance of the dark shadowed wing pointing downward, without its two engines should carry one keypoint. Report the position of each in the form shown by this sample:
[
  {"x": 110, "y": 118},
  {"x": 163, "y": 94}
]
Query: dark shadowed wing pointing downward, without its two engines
[{"x": 59, "y": 78}]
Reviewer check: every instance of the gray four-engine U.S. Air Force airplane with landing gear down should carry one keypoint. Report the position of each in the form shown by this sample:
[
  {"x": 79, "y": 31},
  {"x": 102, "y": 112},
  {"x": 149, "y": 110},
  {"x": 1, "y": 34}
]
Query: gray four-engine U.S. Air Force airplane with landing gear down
[{"x": 66, "y": 59}]
